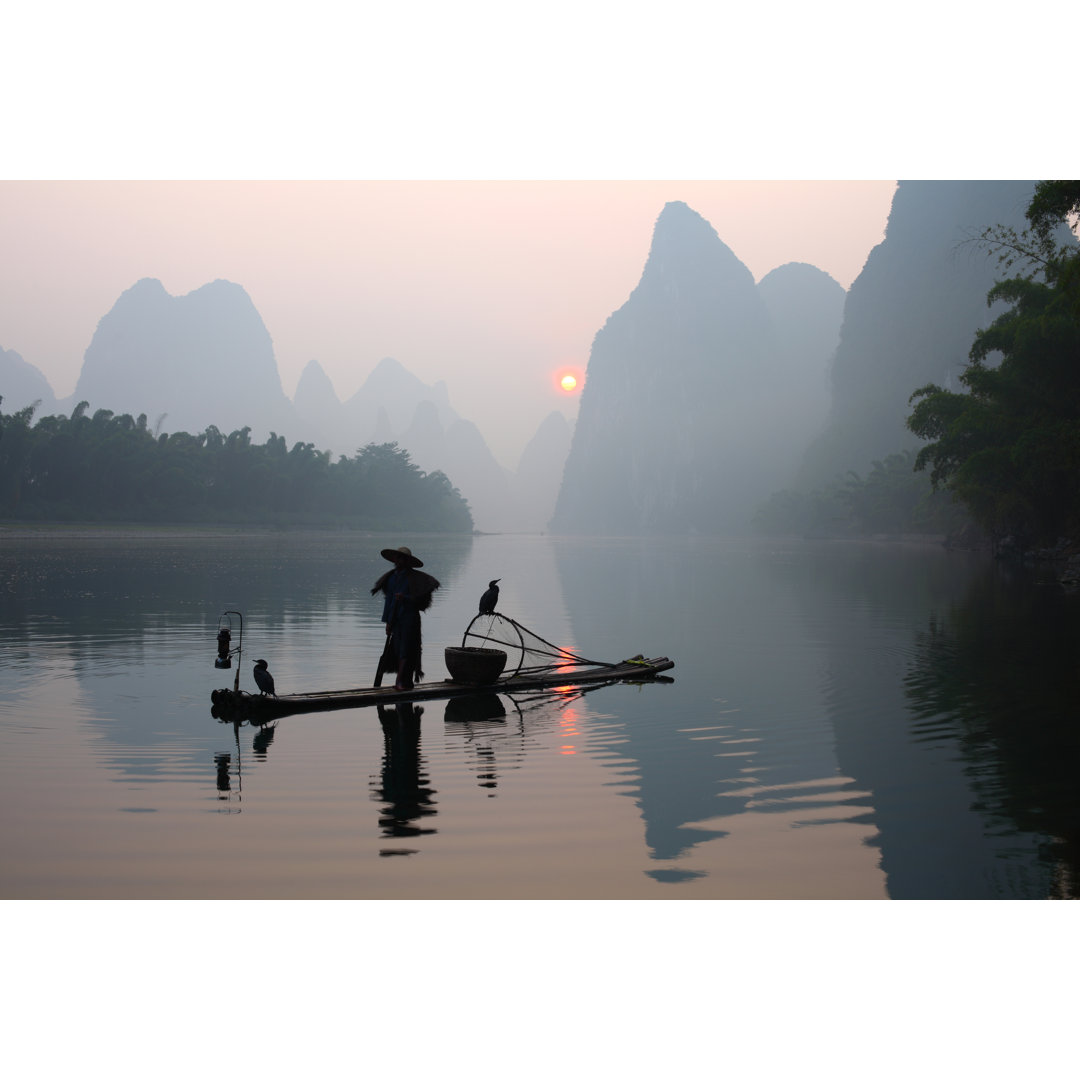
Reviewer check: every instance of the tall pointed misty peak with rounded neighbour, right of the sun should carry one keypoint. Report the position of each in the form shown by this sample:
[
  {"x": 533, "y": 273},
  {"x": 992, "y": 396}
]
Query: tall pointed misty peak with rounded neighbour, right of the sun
[{"x": 697, "y": 401}]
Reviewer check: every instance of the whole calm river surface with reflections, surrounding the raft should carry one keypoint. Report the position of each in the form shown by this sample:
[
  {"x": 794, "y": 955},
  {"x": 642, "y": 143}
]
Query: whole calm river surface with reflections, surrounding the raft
[{"x": 845, "y": 722}]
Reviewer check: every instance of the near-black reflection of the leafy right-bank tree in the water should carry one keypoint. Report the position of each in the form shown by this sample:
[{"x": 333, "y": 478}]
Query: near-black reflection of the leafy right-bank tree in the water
[{"x": 971, "y": 682}]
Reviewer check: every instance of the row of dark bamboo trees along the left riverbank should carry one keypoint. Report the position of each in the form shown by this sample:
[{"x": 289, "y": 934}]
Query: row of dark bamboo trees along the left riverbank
[{"x": 110, "y": 468}]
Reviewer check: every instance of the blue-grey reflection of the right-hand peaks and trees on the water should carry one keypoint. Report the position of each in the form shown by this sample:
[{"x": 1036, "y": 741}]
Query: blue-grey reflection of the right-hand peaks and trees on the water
[{"x": 966, "y": 792}]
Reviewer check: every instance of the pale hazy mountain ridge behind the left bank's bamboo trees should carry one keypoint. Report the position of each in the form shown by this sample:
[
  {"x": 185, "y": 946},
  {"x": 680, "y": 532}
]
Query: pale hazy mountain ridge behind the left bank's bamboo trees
[{"x": 206, "y": 359}]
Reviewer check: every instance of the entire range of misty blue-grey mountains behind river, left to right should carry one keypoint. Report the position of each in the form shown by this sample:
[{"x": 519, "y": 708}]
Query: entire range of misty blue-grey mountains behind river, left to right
[{"x": 705, "y": 389}]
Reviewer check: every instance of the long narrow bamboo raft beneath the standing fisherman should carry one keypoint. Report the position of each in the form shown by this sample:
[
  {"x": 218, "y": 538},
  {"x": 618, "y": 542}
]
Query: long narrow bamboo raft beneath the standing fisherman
[{"x": 238, "y": 705}]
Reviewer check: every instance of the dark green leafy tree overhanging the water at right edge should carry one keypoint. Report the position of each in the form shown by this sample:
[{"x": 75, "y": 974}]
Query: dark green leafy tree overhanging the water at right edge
[{"x": 1009, "y": 448}]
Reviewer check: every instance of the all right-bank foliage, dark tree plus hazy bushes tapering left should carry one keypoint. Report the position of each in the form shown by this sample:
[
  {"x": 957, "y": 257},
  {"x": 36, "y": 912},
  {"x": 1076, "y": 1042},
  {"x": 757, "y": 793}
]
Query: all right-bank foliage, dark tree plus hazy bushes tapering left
[{"x": 1002, "y": 465}]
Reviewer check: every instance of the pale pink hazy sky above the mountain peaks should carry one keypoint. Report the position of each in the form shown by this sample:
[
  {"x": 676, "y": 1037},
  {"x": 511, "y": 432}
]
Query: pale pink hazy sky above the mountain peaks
[{"x": 489, "y": 286}]
